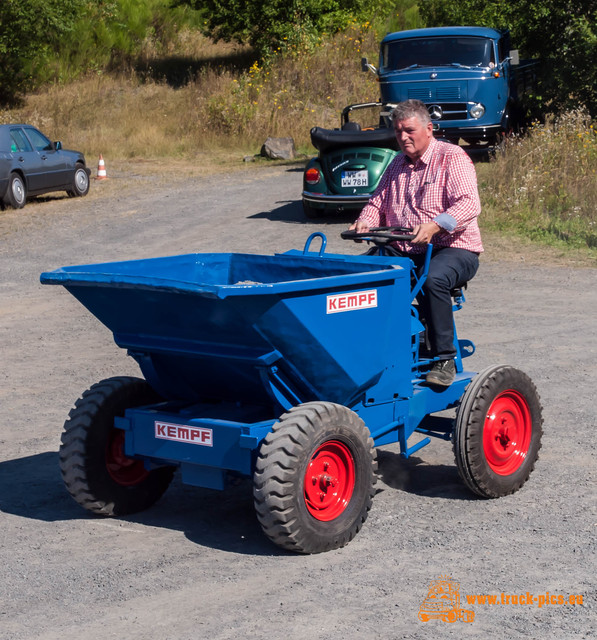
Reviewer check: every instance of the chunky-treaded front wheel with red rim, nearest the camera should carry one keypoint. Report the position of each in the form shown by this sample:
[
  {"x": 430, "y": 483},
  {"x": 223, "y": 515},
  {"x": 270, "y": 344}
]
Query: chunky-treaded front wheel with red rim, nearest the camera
[{"x": 312, "y": 447}]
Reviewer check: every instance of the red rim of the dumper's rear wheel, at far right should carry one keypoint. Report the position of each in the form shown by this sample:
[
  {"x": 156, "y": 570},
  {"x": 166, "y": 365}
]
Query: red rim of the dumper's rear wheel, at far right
[{"x": 507, "y": 432}]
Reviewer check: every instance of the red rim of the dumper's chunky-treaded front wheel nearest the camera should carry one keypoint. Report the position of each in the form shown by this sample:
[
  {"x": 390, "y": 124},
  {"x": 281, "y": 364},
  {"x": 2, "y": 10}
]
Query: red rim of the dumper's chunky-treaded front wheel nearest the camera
[{"x": 329, "y": 480}]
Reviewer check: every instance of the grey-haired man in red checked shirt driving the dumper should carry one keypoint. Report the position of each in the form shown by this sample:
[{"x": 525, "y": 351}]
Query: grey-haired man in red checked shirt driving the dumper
[{"x": 432, "y": 188}]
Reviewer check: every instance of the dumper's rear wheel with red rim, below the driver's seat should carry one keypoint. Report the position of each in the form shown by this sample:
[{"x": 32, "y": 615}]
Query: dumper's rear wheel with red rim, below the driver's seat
[{"x": 498, "y": 431}]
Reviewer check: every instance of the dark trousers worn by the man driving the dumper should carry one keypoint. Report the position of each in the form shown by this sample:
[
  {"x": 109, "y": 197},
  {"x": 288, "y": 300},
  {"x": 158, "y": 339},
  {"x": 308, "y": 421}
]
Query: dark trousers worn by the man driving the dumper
[{"x": 449, "y": 268}]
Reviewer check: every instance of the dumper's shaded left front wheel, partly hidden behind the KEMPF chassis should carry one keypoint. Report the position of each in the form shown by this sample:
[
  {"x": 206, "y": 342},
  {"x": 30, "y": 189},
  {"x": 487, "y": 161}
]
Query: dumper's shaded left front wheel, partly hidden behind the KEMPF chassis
[{"x": 94, "y": 468}]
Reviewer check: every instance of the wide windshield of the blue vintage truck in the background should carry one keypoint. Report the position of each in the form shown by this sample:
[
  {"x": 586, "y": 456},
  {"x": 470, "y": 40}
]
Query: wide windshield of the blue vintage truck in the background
[{"x": 437, "y": 52}]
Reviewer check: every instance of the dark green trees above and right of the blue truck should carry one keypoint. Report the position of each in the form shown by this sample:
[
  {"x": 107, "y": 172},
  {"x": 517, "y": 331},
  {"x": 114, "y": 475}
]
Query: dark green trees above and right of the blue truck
[{"x": 561, "y": 33}]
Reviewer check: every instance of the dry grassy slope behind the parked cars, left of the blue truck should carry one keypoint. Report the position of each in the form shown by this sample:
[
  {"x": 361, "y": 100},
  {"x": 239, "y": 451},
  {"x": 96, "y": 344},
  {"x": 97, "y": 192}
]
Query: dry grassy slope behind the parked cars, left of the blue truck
[{"x": 219, "y": 107}]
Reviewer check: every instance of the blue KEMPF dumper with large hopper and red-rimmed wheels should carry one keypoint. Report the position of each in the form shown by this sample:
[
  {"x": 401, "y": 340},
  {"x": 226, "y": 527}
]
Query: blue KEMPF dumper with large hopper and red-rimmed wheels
[{"x": 258, "y": 366}]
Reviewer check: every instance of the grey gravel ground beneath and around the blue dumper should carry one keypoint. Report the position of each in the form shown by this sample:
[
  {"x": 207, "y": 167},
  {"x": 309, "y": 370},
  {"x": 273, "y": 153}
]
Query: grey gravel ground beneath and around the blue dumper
[{"x": 197, "y": 564}]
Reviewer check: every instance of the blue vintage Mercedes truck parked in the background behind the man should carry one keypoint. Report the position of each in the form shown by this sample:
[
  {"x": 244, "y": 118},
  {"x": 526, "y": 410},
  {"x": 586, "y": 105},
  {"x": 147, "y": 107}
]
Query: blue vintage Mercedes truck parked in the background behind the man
[{"x": 470, "y": 79}]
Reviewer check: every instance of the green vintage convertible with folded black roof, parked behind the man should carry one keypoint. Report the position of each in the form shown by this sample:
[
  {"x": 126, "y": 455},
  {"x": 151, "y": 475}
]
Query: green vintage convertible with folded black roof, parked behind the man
[{"x": 351, "y": 160}]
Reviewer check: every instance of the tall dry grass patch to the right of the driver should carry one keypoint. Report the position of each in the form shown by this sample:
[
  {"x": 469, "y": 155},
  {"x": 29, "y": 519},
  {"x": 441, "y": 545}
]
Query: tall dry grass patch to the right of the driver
[{"x": 544, "y": 185}]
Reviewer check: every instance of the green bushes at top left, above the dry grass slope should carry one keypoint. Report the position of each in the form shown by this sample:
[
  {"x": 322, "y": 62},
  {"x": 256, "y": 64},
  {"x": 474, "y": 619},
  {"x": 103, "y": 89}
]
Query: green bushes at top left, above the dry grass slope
[{"x": 49, "y": 40}]
